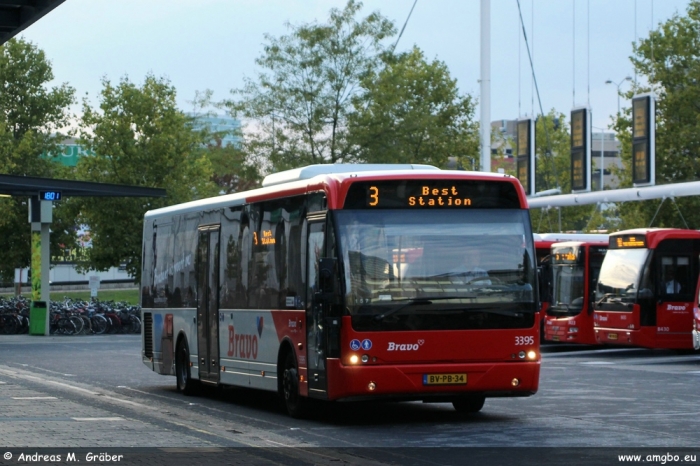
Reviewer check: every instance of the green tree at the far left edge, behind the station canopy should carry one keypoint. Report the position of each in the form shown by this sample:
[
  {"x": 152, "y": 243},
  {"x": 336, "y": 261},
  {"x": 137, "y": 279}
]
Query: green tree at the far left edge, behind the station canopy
[{"x": 31, "y": 113}]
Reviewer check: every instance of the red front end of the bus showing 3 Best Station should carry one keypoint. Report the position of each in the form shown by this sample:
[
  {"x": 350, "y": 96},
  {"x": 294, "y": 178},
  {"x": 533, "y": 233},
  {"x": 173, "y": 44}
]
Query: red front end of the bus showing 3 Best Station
[{"x": 435, "y": 298}]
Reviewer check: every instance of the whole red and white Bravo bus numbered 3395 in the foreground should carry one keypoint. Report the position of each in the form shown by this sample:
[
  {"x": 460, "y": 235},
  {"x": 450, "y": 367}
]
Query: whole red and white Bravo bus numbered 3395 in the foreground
[{"x": 343, "y": 282}]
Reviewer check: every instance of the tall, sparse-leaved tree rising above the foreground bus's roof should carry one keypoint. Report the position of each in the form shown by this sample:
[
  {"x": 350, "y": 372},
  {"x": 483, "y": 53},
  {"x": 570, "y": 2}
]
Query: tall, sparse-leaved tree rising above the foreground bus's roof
[{"x": 301, "y": 100}]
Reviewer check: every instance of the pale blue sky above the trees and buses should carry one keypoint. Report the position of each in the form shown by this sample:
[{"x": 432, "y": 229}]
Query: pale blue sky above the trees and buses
[{"x": 577, "y": 45}]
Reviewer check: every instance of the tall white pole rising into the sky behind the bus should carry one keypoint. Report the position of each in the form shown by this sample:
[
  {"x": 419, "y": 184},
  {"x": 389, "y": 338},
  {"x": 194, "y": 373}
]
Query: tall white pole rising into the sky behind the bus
[{"x": 485, "y": 85}]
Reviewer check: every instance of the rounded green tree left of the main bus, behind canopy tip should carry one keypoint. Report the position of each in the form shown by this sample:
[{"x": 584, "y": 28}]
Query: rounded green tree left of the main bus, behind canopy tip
[{"x": 139, "y": 138}]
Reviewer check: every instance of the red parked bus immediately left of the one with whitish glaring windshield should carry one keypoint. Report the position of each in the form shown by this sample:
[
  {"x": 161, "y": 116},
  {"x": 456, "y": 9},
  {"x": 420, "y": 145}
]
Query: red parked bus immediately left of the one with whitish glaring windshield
[{"x": 575, "y": 266}]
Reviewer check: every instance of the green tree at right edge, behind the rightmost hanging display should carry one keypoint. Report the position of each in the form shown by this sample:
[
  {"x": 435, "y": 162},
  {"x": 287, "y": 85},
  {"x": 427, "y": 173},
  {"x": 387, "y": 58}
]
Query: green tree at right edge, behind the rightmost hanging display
[{"x": 667, "y": 64}]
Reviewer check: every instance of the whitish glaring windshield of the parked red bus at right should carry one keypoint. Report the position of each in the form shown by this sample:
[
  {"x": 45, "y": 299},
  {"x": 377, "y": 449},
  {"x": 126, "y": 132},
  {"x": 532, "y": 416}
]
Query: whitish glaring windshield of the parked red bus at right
[{"x": 620, "y": 274}]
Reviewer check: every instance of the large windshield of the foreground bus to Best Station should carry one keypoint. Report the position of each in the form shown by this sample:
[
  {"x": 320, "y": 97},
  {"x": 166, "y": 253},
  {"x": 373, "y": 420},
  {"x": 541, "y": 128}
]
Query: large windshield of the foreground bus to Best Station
[{"x": 437, "y": 269}]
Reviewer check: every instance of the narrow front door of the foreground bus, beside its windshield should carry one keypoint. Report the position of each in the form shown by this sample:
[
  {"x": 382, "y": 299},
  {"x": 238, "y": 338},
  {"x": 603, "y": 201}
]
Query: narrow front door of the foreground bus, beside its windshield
[{"x": 315, "y": 310}]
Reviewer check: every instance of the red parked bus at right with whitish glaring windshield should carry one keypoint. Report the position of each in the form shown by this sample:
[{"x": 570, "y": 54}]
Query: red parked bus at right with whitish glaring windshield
[{"x": 647, "y": 289}]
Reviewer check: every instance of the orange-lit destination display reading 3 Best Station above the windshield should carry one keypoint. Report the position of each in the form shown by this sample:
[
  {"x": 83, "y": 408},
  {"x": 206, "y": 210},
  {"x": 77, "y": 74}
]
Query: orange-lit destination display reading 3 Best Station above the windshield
[{"x": 432, "y": 194}]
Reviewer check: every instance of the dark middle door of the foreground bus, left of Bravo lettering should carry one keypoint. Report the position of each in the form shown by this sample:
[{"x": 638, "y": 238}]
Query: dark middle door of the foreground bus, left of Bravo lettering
[{"x": 208, "y": 303}]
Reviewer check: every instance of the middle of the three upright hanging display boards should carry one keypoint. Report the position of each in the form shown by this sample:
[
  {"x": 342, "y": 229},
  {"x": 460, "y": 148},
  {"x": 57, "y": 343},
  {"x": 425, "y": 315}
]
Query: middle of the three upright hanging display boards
[{"x": 581, "y": 150}]
